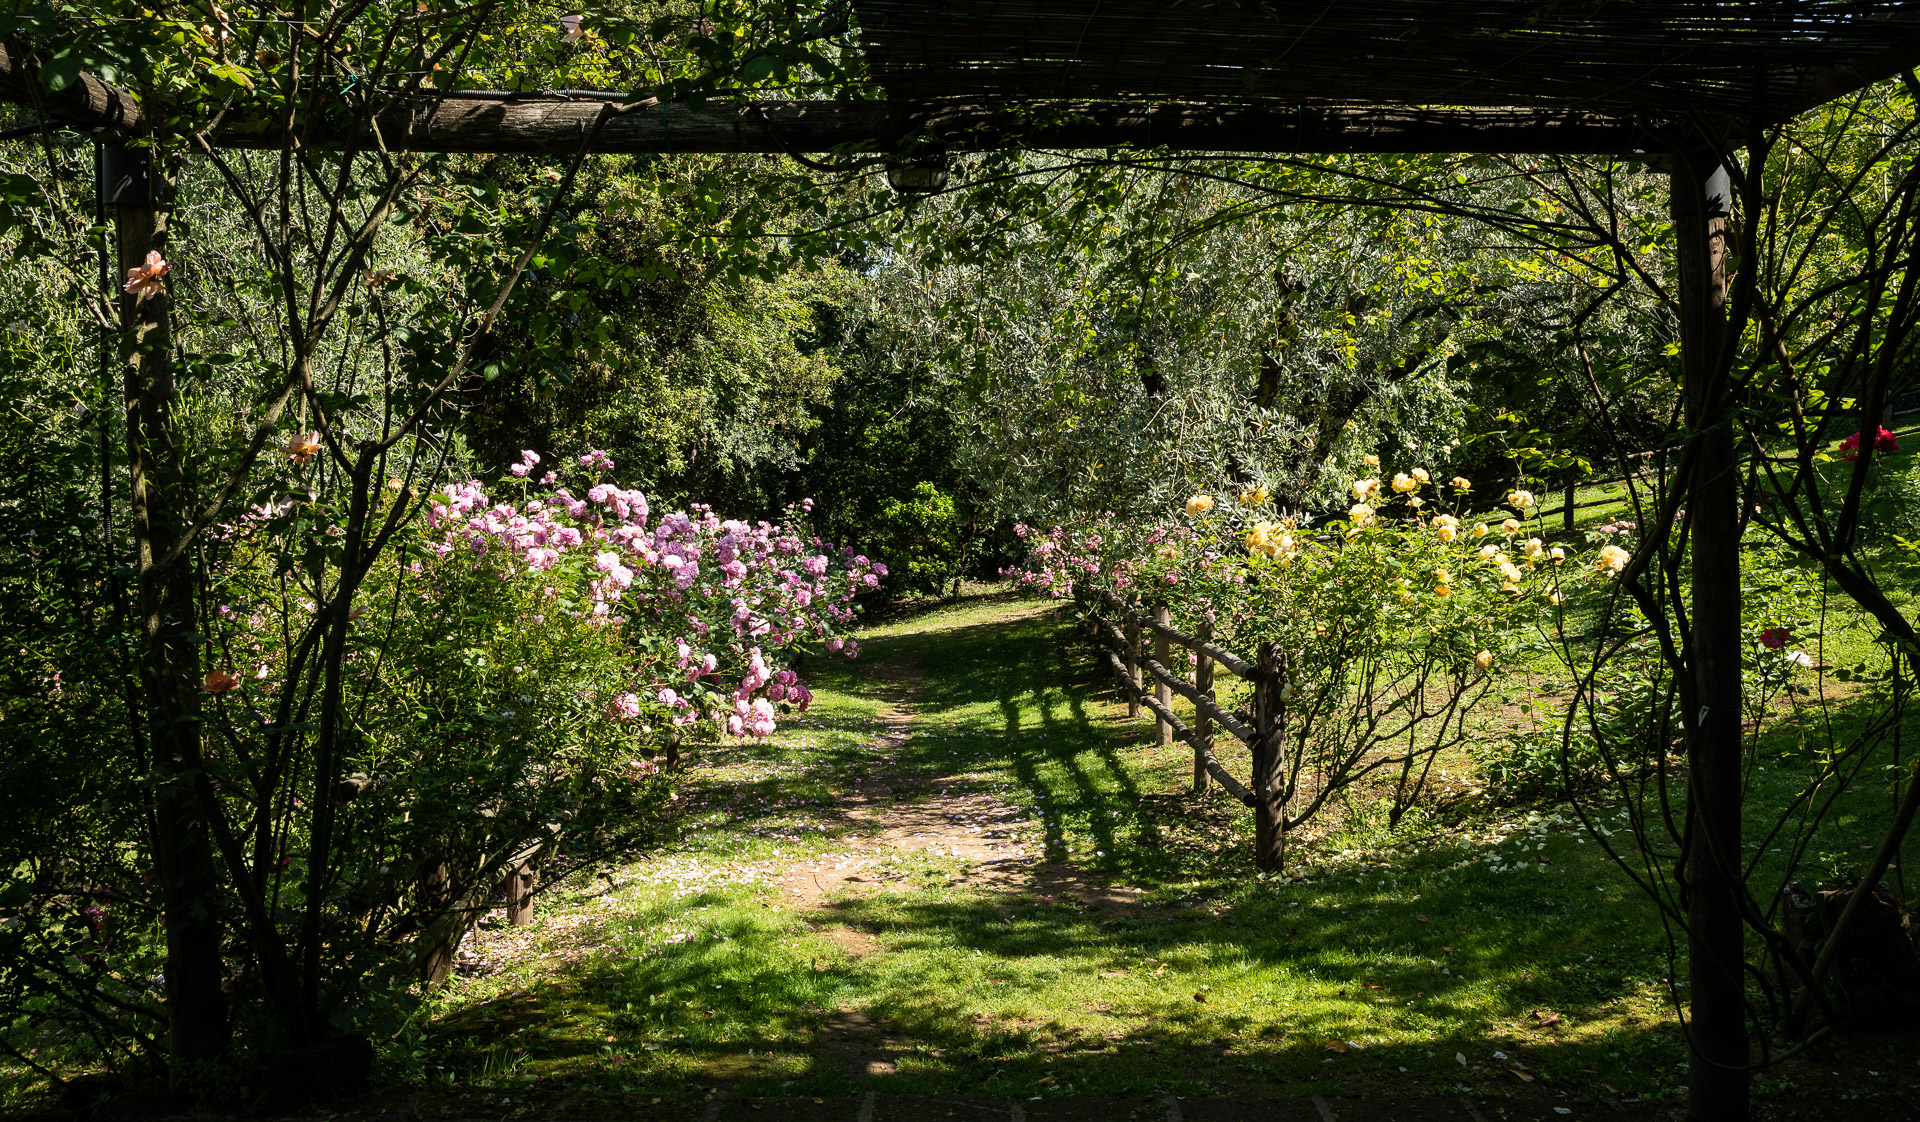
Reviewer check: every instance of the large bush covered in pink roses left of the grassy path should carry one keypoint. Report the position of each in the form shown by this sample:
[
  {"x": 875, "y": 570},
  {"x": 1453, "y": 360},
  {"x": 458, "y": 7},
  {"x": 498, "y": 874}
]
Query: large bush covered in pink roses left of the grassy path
[{"x": 514, "y": 662}]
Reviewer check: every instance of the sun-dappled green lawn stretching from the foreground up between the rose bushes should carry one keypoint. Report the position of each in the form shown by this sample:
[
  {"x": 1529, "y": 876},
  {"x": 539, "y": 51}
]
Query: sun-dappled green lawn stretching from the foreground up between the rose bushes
[{"x": 1376, "y": 967}]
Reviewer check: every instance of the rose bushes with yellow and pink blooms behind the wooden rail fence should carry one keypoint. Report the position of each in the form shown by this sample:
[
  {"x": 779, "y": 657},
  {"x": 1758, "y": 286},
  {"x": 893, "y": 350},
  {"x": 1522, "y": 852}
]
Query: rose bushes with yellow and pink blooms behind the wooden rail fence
[{"x": 1391, "y": 625}]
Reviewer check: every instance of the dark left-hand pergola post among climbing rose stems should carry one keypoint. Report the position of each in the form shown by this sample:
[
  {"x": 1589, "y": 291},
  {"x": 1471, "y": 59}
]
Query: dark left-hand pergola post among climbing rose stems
[{"x": 170, "y": 641}]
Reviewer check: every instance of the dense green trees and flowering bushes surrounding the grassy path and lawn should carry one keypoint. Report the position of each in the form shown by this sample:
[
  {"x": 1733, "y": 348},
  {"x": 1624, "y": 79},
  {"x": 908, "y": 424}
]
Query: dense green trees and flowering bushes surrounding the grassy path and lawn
[{"x": 291, "y": 691}]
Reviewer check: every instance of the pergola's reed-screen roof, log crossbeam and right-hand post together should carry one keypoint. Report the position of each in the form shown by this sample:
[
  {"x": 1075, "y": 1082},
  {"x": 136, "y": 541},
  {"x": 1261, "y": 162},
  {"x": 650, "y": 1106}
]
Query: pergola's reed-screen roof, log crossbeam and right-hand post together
[{"x": 1683, "y": 80}]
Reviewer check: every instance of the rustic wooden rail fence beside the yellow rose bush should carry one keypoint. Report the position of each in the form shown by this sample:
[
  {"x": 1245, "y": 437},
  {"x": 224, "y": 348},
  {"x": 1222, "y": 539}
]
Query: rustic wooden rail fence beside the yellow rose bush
[{"x": 1118, "y": 627}]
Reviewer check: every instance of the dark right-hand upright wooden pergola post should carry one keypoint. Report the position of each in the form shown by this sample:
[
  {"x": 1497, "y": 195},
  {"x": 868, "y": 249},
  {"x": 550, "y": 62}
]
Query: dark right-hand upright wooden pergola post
[{"x": 1717, "y": 1029}]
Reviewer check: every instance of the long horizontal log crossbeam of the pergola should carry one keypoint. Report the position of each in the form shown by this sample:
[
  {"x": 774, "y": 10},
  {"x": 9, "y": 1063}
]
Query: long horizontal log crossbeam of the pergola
[{"x": 552, "y": 124}]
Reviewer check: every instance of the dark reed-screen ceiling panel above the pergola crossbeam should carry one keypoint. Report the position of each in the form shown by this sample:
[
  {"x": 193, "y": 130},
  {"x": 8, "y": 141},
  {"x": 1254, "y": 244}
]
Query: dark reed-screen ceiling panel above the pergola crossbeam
[{"x": 1767, "y": 61}]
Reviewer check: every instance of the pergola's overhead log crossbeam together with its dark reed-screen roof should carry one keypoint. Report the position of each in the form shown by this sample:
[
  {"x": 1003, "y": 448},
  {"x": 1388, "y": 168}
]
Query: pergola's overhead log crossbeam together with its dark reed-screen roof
[{"x": 1360, "y": 76}]
